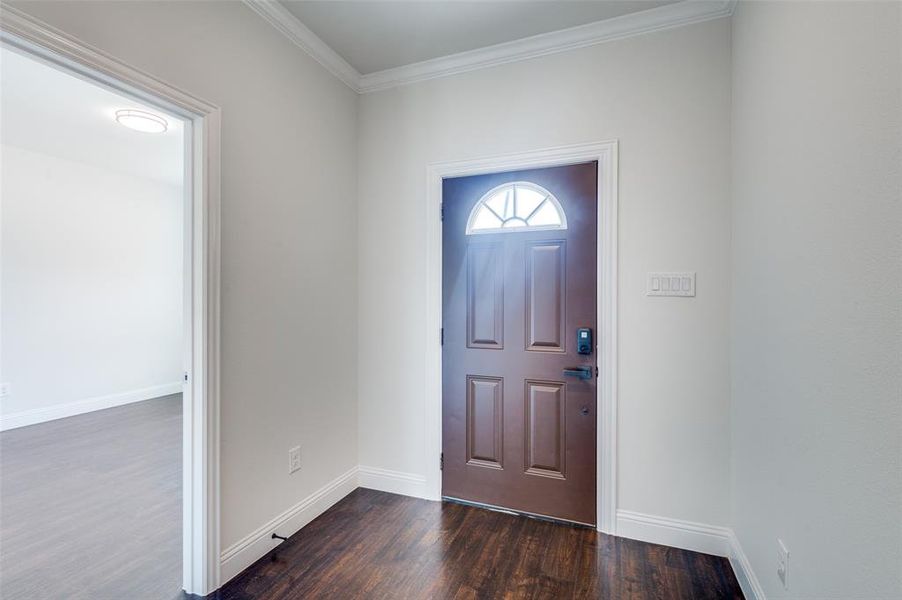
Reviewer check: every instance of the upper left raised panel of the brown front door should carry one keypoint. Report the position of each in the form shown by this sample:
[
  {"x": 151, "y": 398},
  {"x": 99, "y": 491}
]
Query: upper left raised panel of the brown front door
[{"x": 485, "y": 296}]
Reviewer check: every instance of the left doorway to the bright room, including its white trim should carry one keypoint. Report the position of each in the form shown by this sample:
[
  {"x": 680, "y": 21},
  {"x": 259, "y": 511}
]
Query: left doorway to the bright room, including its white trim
[{"x": 113, "y": 251}]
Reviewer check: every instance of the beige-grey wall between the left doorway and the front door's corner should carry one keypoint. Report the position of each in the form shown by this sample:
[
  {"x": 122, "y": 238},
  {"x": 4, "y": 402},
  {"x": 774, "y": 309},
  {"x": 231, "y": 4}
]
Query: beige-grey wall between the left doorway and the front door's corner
[{"x": 289, "y": 253}]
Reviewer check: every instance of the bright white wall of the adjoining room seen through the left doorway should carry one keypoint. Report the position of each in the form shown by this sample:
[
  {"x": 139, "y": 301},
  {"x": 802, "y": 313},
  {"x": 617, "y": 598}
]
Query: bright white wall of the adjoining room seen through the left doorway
[{"x": 92, "y": 286}]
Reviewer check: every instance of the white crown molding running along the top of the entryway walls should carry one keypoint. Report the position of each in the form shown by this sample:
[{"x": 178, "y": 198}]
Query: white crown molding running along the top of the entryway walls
[{"x": 668, "y": 16}]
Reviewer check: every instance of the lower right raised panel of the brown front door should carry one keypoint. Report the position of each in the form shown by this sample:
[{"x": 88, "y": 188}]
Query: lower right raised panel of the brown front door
[{"x": 545, "y": 440}]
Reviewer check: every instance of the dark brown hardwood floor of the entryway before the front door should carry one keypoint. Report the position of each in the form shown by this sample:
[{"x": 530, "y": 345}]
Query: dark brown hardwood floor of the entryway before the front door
[{"x": 379, "y": 546}]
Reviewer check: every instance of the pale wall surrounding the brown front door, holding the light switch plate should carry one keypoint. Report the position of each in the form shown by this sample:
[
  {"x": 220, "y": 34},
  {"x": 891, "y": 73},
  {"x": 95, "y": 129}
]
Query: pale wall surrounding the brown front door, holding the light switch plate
[{"x": 666, "y": 97}]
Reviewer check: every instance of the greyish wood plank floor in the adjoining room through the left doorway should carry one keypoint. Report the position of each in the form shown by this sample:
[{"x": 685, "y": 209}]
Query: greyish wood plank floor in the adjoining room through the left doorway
[{"x": 91, "y": 505}]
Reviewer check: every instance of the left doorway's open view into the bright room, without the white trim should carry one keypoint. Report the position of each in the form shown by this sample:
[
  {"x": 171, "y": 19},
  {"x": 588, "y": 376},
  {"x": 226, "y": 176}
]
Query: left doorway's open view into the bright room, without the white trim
[{"x": 93, "y": 309}]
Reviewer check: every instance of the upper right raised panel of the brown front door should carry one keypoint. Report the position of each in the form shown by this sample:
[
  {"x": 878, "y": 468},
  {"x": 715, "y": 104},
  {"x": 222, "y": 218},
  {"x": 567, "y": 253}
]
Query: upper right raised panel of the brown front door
[{"x": 545, "y": 296}]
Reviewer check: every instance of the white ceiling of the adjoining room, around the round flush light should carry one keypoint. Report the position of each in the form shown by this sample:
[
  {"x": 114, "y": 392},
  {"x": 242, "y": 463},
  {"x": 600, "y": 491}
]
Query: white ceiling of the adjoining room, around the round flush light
[{"x": 47, "y": 110}]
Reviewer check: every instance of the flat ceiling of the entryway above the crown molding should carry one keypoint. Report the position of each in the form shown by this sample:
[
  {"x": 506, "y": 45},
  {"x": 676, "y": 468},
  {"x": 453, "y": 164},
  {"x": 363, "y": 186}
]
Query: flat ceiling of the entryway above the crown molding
[{"x": 374, "y": 35}]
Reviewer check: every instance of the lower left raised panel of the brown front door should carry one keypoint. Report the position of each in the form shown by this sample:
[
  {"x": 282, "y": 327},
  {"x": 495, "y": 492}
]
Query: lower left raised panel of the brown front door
[{"x": 485, "y": 432}]
